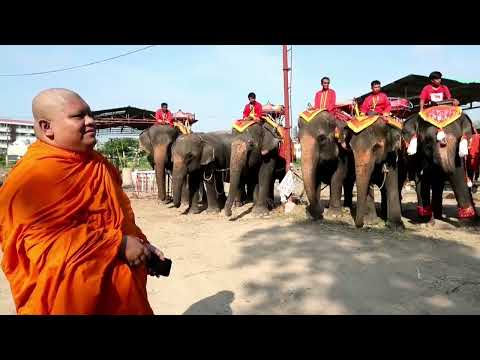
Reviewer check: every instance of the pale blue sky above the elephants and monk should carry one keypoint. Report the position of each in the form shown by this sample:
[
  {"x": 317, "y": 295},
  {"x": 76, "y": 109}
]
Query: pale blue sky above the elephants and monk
[{"x": 213, "y": 81}]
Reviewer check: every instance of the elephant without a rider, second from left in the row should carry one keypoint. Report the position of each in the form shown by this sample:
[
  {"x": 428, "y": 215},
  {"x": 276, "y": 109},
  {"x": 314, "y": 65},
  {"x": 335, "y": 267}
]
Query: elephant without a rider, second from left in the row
[{"x": 205, "y": 158}]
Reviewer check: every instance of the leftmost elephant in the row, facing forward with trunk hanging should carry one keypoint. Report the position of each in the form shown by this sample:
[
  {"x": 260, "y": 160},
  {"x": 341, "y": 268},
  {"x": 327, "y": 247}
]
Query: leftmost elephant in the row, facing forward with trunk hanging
[{"x": 157, "y": 141}]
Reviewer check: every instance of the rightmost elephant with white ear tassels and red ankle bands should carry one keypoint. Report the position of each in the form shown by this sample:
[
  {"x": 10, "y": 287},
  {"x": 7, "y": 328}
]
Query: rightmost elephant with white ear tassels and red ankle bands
[{"x": 436, "y": 159}]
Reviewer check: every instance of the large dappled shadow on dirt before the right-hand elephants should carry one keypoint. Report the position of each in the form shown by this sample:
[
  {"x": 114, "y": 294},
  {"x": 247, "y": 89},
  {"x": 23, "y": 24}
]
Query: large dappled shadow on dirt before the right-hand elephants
[{"x": 327, "y": 268}]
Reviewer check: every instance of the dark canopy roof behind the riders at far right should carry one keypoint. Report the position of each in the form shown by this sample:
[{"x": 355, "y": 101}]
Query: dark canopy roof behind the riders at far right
[{"x": 411, "y": 86}]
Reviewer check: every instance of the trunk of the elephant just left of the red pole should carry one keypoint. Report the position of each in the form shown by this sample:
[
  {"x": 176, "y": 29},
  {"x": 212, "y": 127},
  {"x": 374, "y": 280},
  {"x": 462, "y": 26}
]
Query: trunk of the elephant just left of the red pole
[{"x": 238, "y": 160}]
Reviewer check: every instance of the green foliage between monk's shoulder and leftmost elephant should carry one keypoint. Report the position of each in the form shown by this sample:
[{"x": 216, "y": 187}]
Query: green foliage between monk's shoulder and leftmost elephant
[{"x": 125, "y": 153}]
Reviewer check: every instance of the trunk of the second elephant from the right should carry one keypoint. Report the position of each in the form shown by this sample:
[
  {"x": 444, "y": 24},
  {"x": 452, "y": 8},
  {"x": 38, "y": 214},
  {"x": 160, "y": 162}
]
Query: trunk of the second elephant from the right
[{"x": 364, "y": 165}]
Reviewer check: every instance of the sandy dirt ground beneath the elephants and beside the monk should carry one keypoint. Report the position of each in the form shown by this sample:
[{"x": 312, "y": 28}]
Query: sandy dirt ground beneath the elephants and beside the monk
[{"x": 287, "y": 264}]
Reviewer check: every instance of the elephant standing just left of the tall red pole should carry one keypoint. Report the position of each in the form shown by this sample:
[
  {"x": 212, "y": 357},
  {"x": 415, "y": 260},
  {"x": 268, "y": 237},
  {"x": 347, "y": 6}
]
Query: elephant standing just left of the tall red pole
[{"x": 254, "y": 159}]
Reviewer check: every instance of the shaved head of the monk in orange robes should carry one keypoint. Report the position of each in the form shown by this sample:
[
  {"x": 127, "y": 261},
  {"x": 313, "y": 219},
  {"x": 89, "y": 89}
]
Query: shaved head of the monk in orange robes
[{"x": 63, "y": 119}]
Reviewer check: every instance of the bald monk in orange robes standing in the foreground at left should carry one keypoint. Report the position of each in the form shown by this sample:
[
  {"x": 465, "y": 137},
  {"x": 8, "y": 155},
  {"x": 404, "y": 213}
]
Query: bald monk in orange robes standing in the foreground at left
[{"x": 67, "y": 231}]
